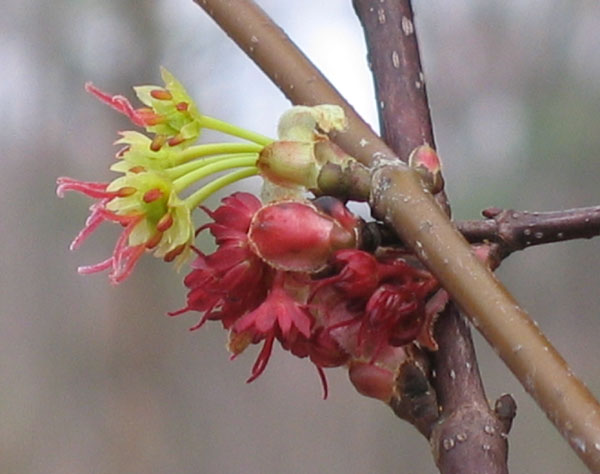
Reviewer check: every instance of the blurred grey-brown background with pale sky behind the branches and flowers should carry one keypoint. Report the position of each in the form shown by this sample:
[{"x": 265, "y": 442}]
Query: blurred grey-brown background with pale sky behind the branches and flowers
[{"x": 95, "y": 378}]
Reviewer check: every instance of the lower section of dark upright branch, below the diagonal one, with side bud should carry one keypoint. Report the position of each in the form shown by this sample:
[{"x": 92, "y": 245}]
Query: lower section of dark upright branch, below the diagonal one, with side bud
[{"x": 469, "y": 437}]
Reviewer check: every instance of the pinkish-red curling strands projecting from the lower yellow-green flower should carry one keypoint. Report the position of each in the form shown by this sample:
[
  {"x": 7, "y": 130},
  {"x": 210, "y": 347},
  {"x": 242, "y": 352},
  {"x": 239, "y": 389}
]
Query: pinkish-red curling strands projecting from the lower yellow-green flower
[{"x": 124, "y": 257}]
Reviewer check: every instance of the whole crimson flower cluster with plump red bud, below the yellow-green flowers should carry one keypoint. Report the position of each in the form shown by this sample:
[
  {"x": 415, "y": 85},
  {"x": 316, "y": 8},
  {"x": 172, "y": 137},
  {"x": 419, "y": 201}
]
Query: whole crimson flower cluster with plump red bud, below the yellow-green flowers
[{"x": 265, "y": 283}]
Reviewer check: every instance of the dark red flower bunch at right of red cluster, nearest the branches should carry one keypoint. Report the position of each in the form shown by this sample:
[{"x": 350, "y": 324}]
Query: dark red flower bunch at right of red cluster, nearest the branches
[{"x": 372, "y": 303}]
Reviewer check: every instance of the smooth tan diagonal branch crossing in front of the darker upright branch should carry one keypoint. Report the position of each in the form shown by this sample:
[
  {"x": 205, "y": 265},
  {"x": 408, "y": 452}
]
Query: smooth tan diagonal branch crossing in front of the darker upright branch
[{"x": 400, "y": 199}]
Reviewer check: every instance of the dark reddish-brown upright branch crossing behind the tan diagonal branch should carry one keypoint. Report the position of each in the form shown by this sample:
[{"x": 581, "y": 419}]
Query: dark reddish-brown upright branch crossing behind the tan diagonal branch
[{"x": 467, "y": 424}]
